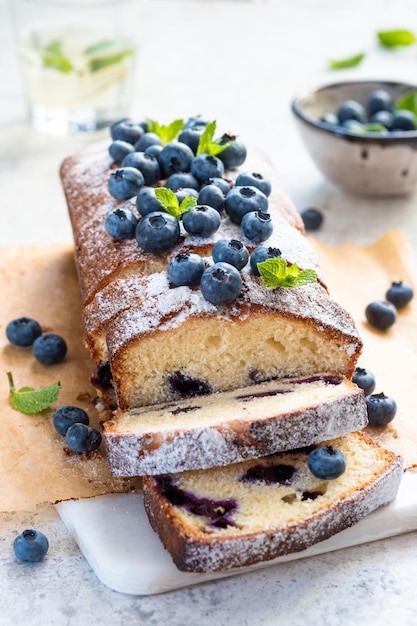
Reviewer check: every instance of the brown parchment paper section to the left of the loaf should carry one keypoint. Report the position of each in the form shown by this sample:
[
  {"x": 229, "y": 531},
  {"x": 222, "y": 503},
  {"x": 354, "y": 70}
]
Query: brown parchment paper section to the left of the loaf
[{"x": 34, "y": 465}]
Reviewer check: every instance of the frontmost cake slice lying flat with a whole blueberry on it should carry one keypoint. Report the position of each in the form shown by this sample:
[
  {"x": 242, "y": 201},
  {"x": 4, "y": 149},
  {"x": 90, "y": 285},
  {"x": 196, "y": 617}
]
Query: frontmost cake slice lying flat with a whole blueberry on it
[{"x": 250, "y": 512}]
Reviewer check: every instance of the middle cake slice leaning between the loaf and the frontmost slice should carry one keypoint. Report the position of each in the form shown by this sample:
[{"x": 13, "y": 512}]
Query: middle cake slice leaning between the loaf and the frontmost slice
[{"x": 232, "y": 426}]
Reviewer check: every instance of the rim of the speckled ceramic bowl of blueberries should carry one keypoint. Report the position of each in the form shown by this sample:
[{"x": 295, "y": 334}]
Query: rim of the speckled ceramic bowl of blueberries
[{"x": 404, "y": 137}]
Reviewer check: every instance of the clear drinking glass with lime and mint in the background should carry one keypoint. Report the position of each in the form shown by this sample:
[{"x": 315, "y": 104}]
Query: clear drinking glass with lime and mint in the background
[{"x": 78, "y": 60}]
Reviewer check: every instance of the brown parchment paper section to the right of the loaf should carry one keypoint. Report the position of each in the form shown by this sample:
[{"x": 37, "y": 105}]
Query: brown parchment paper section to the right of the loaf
[{"x": 357, "y": 276}]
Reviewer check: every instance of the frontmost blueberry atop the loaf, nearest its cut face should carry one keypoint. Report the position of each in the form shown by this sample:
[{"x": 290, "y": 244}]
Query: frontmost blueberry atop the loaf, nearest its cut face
[{"x": 221, "y": 284}]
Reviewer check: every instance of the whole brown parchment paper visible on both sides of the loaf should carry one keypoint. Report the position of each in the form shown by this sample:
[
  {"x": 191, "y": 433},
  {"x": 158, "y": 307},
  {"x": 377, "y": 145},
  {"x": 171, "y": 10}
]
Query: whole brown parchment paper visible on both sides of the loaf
[{"x": 35, "y": 466}]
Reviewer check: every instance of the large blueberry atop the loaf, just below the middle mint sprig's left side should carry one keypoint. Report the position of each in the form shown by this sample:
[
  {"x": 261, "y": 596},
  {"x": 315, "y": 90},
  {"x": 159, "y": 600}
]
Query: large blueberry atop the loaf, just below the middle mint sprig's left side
[{"x": 157, "y": 232}]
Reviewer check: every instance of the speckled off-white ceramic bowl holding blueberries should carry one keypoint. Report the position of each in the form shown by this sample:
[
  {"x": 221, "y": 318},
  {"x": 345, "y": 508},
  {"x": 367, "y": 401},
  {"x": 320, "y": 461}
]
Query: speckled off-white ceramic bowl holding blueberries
[{"x": 366, "y": 164}]
